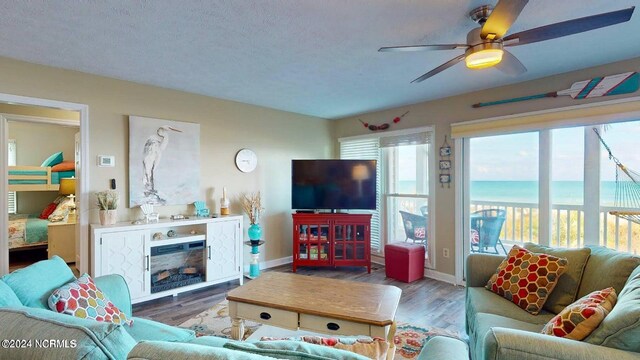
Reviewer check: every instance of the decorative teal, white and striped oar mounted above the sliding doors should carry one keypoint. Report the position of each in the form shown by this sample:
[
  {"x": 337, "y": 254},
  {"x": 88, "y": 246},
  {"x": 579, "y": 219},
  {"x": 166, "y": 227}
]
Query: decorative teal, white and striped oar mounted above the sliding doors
[{"x": 601, "y": 86}]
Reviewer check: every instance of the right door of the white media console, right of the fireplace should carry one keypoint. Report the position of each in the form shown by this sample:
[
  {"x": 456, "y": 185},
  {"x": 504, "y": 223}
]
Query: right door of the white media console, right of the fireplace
[{"x": 223, "y": 249}]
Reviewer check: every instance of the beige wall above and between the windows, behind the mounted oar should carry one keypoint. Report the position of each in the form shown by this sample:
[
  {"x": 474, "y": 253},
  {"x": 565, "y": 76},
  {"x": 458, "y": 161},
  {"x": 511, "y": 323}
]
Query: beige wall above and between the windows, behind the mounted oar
[{"x": 441, "y": 113}]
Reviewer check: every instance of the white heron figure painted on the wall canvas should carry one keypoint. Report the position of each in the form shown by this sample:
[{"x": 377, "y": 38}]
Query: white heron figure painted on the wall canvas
[{"x": 152, "y": 153}]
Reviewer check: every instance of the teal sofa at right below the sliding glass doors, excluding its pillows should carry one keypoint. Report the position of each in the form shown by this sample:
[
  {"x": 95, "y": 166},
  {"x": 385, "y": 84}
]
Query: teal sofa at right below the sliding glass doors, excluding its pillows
[{"x": 499, "y": 329}]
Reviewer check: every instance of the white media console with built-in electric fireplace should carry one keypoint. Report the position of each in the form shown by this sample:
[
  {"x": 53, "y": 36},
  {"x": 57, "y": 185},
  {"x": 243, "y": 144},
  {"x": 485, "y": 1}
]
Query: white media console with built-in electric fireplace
[{"x": 200, "y": 252}]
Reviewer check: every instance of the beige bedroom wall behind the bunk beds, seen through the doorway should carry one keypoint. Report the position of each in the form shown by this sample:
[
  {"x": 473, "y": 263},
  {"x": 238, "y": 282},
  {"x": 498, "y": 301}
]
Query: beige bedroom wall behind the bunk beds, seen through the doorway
[{"x": 34, "y": 143}]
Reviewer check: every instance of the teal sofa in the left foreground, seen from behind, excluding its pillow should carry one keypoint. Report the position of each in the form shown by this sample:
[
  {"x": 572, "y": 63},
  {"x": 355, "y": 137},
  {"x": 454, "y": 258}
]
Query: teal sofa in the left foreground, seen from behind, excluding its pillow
[{"x": 31, "y": 331}]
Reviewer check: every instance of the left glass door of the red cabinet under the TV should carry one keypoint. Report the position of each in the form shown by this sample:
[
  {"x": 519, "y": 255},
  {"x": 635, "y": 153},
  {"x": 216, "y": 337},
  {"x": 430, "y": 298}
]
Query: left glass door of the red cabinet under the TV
[{"x": 313, "y": 243}]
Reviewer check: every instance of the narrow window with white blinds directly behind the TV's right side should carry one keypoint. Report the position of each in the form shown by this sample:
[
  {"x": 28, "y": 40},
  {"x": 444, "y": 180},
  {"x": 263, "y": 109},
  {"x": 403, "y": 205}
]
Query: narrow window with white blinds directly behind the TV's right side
[{"x": 366, "y": 149}]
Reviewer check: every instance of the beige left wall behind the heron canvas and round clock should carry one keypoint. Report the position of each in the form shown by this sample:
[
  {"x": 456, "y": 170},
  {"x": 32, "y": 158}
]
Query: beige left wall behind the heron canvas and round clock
[{"x": 226, "y": 126}]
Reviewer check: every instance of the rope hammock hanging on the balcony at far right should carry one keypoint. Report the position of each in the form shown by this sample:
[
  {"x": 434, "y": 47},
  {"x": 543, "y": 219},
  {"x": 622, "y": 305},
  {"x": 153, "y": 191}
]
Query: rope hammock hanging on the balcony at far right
[{"x": 627, "y": 188}]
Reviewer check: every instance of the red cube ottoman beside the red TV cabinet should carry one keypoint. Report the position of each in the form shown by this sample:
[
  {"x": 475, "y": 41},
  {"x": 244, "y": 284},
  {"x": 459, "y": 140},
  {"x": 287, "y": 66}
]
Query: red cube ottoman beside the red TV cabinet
[{"x": 404, "y": 261}]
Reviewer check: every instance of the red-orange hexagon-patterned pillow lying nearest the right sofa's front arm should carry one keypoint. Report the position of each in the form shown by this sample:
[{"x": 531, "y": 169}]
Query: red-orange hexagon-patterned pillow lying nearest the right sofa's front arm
[{"x": 579, "y": 319}]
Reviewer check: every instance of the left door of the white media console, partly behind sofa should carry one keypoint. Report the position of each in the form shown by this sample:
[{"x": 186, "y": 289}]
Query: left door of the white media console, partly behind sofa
[{"x": 127, "y": 253}]
